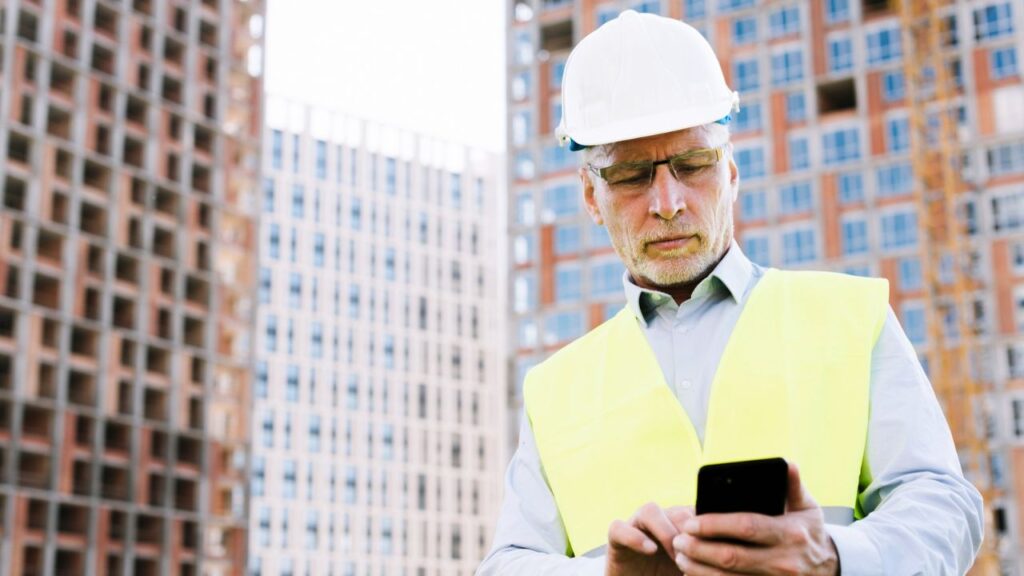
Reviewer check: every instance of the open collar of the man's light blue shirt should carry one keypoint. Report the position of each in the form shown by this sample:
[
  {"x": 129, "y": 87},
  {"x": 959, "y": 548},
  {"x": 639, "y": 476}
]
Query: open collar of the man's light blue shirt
[{"x": 733, "y": 274}]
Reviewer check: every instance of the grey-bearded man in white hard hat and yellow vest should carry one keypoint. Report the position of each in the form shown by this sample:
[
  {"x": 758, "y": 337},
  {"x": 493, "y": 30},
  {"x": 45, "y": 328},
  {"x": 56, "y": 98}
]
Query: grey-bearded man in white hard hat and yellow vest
[{"x": 715, "y": 359}]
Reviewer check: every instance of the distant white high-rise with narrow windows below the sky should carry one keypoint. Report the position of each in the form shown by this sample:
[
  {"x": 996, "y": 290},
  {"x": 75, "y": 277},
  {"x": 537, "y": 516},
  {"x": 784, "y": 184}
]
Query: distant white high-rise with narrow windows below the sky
[{"x": 378, "y": 423}]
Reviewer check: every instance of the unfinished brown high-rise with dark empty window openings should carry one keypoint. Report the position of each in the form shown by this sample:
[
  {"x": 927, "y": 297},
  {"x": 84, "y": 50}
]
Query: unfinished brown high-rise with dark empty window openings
[{"x": 131, "y": 139}]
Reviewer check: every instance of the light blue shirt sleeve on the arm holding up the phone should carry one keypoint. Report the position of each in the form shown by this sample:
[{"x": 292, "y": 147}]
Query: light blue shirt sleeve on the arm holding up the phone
[{"x": 922, "y": 516}]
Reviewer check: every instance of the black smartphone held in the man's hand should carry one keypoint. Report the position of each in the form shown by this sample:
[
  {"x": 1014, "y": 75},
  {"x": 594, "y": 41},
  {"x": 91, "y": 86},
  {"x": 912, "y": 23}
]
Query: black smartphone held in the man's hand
[{"x": 749, "y": 486}]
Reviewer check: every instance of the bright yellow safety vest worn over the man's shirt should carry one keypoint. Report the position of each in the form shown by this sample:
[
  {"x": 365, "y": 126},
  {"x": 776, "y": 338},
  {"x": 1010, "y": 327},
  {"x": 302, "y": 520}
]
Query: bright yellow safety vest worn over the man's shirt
[{"x": 794, "y": 382}]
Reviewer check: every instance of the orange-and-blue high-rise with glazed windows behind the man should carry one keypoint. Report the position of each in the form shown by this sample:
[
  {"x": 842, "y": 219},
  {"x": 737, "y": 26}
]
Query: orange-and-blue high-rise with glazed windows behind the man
[{"x": 823, "y": 142}]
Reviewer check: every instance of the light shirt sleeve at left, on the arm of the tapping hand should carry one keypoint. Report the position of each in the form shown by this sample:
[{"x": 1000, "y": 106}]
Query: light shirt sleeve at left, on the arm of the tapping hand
[{"x": 530, "y": 538}]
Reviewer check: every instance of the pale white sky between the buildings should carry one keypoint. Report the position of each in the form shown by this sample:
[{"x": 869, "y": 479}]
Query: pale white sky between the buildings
[{"x": 435, "y": 67}]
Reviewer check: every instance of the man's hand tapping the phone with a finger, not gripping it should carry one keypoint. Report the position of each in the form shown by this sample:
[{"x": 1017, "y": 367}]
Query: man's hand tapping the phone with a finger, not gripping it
[{"x": 643, "y": 546}]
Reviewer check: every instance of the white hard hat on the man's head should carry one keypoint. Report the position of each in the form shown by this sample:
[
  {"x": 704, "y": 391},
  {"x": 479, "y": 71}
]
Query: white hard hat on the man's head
[{"x": 641, "y": 75}]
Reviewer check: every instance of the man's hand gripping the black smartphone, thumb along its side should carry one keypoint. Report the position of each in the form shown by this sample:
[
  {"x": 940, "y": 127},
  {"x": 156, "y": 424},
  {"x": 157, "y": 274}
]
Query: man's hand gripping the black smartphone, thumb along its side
[{"x": 793, "y": 544}]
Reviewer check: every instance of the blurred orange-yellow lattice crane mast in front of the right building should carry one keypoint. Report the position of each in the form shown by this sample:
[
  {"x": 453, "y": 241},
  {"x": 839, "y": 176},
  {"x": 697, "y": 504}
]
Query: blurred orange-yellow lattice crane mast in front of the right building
[{"x": 946, "y": 249}]
